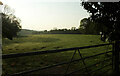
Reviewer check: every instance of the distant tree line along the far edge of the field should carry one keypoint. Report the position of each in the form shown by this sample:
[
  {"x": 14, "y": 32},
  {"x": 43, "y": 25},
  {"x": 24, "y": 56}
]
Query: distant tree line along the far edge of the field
[{"x": 86, "y": 27}]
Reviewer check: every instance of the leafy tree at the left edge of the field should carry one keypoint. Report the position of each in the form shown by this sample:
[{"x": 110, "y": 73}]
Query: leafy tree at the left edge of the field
[{"x": 10, "y": 23}]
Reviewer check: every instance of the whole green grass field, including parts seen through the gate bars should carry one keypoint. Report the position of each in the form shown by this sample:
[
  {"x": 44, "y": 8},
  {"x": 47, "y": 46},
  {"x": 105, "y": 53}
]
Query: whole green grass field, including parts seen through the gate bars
[{"x": 44, "y": 42}]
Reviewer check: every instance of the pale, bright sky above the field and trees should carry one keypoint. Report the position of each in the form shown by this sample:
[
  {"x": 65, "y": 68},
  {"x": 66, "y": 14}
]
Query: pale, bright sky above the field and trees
[{"x": 48, "y": 14}]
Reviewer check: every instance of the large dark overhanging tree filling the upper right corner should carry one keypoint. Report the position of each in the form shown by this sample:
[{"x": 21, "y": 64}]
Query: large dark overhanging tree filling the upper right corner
[{"x": 107, "y": 14}]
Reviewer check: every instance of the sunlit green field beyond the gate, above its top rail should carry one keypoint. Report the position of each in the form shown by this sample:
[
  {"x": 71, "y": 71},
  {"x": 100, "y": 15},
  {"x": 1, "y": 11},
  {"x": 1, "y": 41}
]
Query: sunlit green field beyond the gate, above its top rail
[{"x": 48, "y": 41}]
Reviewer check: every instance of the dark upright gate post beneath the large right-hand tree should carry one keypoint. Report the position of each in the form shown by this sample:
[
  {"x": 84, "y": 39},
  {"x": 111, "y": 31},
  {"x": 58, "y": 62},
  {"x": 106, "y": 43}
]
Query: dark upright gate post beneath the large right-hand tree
[{"x": 116, "y": 49}]
